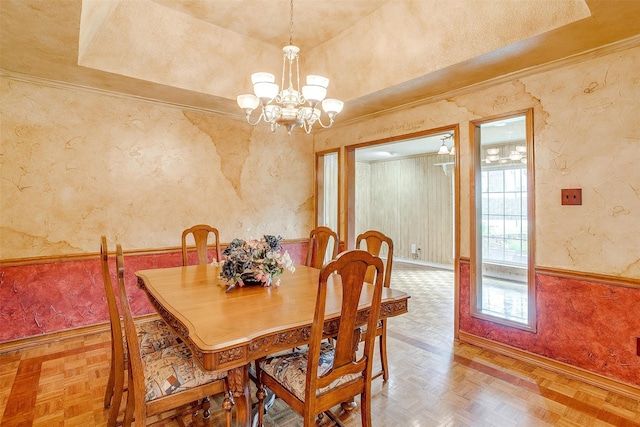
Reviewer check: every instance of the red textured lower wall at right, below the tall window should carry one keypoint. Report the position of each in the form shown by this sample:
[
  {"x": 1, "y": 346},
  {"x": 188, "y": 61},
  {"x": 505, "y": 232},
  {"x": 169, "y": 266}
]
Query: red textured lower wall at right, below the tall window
[{"x": 589, "y": 325}]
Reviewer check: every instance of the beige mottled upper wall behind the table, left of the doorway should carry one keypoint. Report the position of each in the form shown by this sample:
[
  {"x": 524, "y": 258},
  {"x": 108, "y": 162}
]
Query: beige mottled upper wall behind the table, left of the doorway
[{"x": 75, "y": 165}]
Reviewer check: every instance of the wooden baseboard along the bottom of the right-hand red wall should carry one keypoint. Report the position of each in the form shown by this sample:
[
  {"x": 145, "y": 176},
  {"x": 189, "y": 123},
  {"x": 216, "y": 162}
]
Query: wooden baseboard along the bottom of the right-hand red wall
[{"x": 597, "y": 380}]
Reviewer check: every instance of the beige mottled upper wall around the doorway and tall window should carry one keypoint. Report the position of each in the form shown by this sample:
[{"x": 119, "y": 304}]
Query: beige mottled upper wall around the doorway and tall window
[{"x": 586, "y": 134}]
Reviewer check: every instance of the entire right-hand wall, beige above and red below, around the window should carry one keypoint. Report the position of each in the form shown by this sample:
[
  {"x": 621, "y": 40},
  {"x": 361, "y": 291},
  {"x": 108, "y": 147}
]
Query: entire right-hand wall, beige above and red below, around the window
[{"x": 586, "y": 135}]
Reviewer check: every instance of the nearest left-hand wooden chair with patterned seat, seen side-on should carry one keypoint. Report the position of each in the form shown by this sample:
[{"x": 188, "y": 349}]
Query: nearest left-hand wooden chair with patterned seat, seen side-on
[{"x": 166, "y": 379}]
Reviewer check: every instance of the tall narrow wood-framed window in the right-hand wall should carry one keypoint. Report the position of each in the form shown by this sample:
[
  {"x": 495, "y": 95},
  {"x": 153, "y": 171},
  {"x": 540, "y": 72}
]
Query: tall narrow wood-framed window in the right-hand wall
[{"x": 502, "y": 280}]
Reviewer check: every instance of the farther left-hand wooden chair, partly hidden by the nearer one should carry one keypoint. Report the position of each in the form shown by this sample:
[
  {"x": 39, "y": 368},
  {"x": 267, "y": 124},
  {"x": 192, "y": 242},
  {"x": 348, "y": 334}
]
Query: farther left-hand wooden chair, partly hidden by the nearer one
[{"x": 153, "y": 335}]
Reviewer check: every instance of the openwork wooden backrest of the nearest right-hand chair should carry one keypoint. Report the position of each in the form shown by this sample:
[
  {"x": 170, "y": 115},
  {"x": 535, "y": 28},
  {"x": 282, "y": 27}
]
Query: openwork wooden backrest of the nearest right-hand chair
[{"x": 351, "y": 267}]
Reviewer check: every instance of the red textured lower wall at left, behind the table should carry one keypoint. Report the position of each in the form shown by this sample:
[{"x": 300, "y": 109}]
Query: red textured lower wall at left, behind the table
[{"x": 43, "y": 298}]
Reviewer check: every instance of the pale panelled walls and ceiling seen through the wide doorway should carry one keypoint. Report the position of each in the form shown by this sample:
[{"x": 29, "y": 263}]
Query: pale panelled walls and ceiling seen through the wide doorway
[{"x": 406, "y": 189}]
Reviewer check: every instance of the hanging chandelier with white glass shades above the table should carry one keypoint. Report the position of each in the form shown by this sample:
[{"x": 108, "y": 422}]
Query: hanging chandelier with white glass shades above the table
[{"x": 289, "y": 107}]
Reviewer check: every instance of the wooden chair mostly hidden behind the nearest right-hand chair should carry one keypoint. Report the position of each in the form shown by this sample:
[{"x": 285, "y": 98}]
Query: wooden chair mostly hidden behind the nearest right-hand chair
[{"x": 375, "y": 241}]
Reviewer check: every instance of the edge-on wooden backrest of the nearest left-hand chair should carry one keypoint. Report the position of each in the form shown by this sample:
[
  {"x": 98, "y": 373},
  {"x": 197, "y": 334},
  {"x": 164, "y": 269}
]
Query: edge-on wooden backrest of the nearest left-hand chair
[{"x": 136, "y": 384}]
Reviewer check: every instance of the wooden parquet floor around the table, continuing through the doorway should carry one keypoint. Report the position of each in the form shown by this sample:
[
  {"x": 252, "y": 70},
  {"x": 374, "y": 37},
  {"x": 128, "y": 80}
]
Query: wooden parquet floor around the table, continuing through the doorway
[{"x": 434, "y": 380}]
